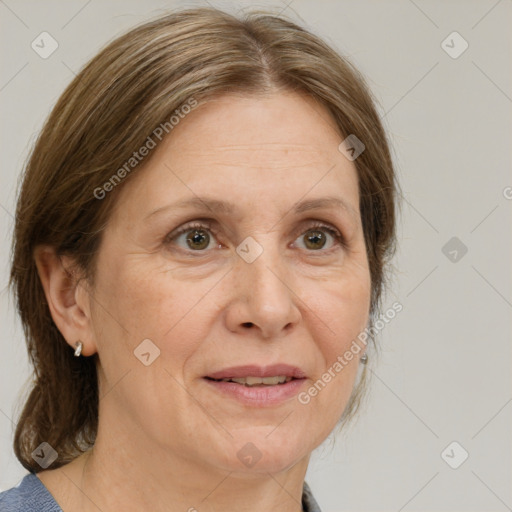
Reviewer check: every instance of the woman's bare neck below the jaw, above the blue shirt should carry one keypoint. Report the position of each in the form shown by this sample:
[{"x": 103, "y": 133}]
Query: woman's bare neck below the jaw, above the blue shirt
[{"x": 123, "y": 473}]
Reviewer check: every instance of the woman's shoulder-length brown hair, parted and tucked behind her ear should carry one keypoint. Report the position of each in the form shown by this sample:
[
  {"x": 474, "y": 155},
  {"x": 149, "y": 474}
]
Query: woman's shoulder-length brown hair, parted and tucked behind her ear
[{"x": 111, "y": 107}]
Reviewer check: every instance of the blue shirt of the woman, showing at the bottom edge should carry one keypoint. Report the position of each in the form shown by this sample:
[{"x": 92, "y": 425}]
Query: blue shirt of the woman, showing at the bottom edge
[{"x": 30, "y": 495}]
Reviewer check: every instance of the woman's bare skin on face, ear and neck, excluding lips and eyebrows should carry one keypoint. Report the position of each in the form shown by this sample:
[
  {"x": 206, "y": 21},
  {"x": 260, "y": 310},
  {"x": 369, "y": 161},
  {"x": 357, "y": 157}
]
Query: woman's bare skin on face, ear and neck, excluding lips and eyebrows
[{"x": 166, "y": 440}]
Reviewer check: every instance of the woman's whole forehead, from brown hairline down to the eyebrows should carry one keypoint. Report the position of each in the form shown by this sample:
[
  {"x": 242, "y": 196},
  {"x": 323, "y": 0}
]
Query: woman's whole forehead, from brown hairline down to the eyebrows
[{"x": 279, "y": 148}]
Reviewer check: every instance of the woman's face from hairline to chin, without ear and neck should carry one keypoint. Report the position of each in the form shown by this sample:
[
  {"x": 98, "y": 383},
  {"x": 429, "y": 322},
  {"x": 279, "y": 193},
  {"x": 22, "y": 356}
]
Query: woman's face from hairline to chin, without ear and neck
[{"x": 220, "y": 253}]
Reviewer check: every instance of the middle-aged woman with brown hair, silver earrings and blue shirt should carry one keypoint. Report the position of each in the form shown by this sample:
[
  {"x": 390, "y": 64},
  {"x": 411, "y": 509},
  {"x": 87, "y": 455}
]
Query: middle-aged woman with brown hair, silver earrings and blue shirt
[{"x": 201, "y": 240}]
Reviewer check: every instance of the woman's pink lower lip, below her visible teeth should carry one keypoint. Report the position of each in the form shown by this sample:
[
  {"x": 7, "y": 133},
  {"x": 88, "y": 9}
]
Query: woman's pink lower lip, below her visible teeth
[{"x": 258, "y": 396}]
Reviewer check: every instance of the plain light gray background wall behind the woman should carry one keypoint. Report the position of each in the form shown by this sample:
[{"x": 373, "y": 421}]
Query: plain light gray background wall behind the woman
[{"x": 445, "y": 371}]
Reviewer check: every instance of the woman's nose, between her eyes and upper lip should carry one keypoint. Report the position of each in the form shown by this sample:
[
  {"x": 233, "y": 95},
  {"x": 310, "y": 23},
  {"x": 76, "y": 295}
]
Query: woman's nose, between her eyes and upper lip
[{"x": 263, "y": 298}]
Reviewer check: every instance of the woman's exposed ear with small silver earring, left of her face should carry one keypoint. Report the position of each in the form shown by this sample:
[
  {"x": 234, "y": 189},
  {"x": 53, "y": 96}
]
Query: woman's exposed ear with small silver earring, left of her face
[{"x": 67, "y": 298}]
